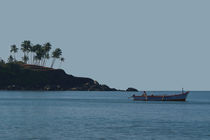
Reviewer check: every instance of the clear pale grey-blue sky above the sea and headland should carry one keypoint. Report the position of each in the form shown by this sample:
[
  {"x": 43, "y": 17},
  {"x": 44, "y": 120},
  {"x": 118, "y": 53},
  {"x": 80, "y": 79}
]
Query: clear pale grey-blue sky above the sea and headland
[{"x": 146, "y": 44}]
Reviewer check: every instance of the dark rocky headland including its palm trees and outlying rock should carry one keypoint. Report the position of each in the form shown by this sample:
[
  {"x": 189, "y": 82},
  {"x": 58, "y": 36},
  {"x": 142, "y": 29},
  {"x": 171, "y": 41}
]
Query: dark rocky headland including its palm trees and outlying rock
[{"x": 31, "y": 73}]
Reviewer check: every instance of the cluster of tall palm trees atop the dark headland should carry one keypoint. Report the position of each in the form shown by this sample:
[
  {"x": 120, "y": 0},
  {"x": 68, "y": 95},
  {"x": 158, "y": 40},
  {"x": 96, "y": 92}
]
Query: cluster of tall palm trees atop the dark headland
[{"x": 36, "y": 54}]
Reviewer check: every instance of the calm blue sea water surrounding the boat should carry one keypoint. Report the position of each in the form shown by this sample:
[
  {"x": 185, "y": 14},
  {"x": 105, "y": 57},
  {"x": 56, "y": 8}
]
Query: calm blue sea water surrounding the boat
[{"x": 101, "y": 116}]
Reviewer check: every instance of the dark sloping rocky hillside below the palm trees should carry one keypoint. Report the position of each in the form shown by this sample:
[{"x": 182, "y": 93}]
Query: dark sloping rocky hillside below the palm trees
[{"x": 30, "y": 77}]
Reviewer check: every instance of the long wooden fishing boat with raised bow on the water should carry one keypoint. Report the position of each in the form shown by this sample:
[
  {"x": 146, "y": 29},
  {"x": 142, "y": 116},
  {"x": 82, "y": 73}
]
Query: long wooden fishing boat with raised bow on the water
[{"x": 176, "y": 97}]
